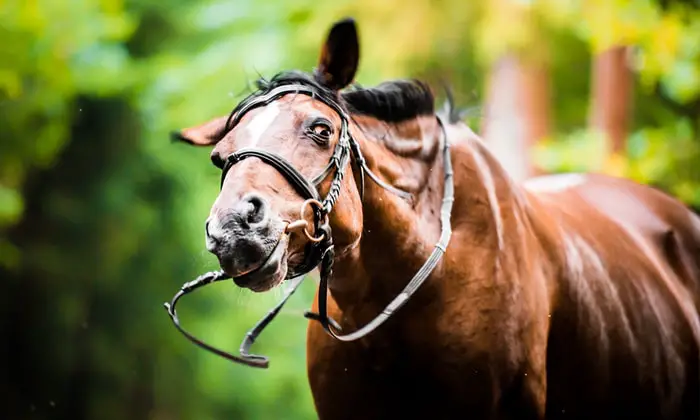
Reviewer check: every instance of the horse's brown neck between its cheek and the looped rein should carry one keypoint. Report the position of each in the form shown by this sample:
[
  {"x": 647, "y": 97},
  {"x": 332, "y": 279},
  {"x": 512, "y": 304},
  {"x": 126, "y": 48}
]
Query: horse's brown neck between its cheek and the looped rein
[{"x": 398, "y": 234}]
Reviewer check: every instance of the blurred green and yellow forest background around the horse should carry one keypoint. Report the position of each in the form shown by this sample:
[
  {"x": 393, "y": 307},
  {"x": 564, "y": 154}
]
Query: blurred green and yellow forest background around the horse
[{"x": 101, "y": 216}]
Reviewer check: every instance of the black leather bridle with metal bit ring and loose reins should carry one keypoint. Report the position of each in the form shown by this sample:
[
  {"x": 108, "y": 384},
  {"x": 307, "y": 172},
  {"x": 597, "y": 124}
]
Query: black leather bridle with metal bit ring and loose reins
[{"x": 319, "y": 249}]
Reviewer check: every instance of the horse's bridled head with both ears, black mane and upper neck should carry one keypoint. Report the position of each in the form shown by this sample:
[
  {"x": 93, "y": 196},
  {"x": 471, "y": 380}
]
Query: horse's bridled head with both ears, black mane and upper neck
[{"x": 294, "y": 156}]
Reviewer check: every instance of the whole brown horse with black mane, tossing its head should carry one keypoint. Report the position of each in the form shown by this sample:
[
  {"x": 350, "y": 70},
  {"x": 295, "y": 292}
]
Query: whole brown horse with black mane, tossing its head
[{"x": 571, "y": 296}]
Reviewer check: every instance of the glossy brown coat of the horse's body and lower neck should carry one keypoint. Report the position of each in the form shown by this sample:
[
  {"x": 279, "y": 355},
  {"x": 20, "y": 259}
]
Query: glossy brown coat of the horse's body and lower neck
[{"x": 573, "y": 296}]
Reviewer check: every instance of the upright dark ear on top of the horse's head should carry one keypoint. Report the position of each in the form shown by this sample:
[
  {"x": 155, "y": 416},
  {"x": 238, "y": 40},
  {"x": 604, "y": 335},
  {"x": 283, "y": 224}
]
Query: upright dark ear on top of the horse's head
[{"x": 339, "y": 56}]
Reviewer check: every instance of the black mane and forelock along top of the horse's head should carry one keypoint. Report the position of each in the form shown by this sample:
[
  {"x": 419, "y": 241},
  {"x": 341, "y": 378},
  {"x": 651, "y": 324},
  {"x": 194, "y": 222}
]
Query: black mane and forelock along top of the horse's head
[{"x": 393, "y": 101}]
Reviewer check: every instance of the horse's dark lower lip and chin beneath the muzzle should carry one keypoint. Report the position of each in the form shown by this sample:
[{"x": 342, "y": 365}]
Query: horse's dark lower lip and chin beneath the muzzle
[{"x": 270, "y": 273}]
